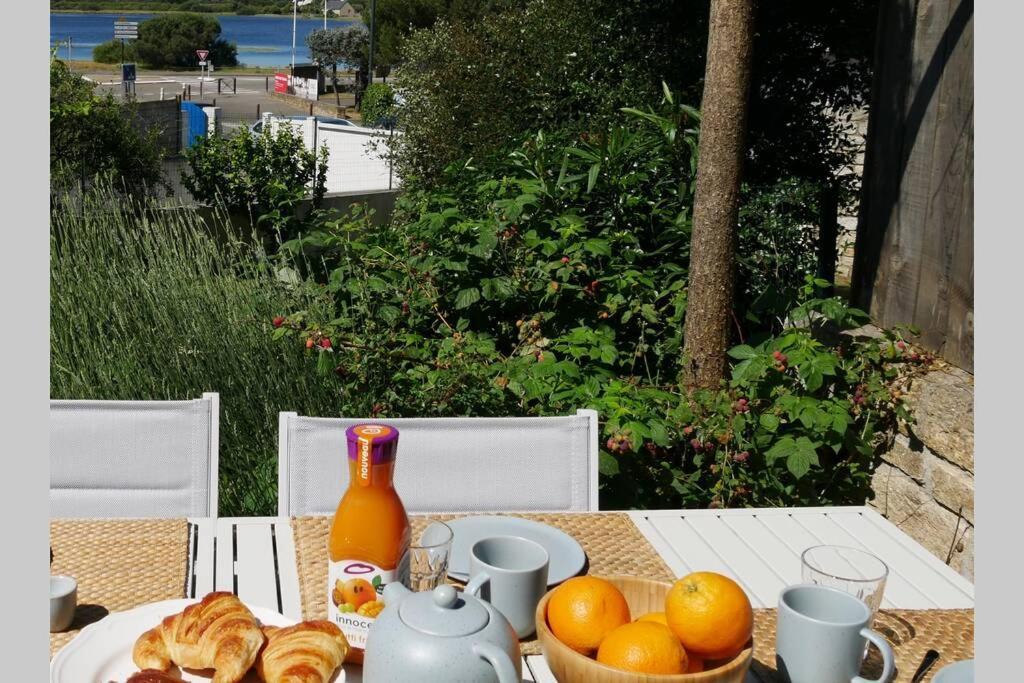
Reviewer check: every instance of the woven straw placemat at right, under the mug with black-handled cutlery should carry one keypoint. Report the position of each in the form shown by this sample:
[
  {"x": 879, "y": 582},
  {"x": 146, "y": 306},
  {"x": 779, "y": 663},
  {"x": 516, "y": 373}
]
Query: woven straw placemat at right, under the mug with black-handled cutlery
[{"x": 912, "y": 633}]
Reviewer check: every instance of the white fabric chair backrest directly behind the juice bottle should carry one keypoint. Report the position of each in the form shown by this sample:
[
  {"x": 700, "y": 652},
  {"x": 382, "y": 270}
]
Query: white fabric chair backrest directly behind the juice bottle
[{"x": 449, "y": 464}]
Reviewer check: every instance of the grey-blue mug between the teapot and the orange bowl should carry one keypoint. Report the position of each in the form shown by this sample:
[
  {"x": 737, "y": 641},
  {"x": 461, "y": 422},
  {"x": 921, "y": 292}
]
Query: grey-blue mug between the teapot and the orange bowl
[{"x": 511, "y": 574}]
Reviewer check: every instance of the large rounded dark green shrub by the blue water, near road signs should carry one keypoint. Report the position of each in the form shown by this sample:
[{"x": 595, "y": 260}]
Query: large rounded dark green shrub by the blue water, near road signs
[{"x": 172, "y": 40}]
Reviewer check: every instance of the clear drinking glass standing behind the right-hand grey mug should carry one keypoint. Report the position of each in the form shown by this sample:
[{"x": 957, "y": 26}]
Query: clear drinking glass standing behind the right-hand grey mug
[{"x": 849, "y": 570}]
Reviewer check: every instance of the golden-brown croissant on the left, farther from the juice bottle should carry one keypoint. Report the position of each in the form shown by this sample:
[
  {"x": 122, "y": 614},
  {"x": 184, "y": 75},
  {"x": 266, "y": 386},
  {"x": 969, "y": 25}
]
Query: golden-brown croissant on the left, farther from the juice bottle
[{"x": 218, "y": 633}]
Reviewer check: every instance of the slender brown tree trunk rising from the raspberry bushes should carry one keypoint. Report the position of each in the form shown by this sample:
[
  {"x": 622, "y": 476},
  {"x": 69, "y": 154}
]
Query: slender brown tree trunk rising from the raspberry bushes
[{"x": 728, "y": 77}]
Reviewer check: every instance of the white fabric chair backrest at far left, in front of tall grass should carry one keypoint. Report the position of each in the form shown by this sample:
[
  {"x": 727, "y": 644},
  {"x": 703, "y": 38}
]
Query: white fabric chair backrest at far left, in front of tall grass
[{"x": 135, "y": 458}]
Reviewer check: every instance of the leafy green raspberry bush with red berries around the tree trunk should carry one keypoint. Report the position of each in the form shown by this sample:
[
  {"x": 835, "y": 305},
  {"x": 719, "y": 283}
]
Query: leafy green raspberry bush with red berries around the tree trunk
[{"x": 554, "y": 277}]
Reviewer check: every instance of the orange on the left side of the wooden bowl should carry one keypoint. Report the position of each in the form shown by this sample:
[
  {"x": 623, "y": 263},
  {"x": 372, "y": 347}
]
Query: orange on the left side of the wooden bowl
[{"x": 584, "y": 610}]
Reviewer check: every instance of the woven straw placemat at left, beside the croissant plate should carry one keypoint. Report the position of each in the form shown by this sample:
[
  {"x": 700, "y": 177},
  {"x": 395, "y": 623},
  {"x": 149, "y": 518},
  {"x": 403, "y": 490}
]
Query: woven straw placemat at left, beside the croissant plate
[{"x": 119, "y": 565}]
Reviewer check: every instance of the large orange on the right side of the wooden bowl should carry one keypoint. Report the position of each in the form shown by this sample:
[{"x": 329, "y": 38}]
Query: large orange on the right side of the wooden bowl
[{"x": 711, "y": 615}]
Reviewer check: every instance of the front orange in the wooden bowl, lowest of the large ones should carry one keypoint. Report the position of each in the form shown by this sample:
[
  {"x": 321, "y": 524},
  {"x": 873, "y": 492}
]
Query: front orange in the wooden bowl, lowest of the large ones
[{"x": 647, "y": 648}]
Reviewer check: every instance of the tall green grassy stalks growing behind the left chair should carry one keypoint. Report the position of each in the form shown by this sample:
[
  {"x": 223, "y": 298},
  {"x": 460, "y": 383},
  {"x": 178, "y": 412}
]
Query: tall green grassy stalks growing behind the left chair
[{"x": 159, "y": 305}]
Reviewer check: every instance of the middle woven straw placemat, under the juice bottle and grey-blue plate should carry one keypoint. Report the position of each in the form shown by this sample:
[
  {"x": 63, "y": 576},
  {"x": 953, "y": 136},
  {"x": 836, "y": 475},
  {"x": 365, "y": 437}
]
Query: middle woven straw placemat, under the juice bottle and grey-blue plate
[{"x": 612, "y": 541}]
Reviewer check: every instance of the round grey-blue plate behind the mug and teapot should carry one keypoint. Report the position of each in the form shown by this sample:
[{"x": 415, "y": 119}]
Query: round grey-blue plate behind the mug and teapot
[{"x": 567, "y": 556}]
